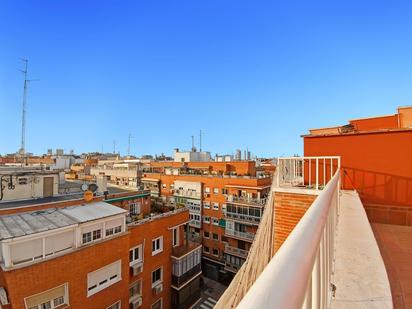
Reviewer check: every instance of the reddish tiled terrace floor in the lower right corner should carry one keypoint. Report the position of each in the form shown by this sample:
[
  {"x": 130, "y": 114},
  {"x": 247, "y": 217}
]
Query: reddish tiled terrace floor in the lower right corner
[{"x": 395, "y": 244}]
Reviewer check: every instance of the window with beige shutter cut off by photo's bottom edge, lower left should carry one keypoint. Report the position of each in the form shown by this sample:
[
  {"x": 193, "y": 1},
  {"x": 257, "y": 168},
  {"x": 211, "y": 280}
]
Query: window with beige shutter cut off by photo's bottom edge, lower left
[{"x": 49, "y": 299}]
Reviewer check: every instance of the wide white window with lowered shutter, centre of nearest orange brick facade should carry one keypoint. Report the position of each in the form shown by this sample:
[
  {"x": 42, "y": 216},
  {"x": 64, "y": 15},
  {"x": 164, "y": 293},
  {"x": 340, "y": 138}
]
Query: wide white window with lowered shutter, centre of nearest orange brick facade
[{"x": 103, "y": 277}]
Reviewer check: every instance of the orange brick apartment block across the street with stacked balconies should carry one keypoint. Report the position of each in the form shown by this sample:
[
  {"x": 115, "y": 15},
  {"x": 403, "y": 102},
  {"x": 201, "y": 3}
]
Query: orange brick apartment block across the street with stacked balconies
[{"x": 225, "y": 201}]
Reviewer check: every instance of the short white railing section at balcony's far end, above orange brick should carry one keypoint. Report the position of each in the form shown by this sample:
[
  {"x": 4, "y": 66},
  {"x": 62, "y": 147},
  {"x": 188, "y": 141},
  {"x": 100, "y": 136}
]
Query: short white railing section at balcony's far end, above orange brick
[{"x": 307, "y": 172}]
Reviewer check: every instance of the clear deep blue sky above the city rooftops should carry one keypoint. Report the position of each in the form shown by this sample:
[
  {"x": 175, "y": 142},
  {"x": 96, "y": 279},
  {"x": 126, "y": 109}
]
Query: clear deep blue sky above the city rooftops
[{"x": 253, "y": 74}]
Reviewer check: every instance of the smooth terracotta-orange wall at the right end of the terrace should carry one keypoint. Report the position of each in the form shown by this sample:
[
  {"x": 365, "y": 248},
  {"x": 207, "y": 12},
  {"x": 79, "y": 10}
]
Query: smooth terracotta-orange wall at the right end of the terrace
[{"x": 377, "y": 165}]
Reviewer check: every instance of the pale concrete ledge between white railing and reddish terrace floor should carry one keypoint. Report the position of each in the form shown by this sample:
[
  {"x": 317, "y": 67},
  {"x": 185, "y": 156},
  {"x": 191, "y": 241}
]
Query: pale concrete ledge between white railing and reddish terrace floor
[{"x": 360, "y": 275}]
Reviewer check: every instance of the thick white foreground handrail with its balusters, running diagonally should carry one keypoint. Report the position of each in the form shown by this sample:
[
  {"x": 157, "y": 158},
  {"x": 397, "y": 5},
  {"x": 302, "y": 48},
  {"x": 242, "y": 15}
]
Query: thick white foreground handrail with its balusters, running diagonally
[{"x": 299, "y": 274}]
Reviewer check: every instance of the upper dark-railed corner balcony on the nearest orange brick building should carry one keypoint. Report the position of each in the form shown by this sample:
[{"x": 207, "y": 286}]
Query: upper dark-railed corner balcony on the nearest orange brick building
[{"x": 186, "y": 263}]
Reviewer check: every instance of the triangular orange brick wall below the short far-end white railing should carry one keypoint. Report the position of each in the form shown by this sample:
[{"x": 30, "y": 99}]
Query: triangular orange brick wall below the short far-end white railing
[{"x": 289, "y": 209}]
